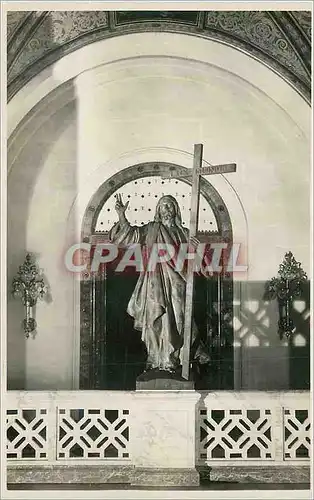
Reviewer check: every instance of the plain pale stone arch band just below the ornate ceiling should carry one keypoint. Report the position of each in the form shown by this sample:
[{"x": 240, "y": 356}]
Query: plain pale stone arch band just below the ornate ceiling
[{"x": 171, "y": 45}]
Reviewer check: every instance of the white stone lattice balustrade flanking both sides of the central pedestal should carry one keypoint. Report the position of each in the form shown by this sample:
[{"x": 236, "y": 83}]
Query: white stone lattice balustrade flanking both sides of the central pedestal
[{"x": 235, "y": 426}]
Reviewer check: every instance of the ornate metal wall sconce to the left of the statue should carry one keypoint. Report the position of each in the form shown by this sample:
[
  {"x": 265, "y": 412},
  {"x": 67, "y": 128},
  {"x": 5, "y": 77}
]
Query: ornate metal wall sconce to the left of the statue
[{"x": 29, "y": 286}]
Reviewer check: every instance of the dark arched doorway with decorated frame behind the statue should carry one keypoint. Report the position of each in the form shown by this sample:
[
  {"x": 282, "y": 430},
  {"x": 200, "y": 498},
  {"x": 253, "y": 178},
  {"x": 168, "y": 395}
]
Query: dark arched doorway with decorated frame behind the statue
[{"x": 105, "y": 358}]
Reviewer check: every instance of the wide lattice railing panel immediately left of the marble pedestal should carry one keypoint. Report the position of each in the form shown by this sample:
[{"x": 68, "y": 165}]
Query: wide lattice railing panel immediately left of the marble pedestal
[{"x": 93, "y": 434}]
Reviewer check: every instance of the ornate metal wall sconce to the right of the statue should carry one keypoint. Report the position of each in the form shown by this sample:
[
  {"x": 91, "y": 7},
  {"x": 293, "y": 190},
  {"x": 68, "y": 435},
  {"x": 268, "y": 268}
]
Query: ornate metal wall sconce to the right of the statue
[{"x": 285, "y": 287}]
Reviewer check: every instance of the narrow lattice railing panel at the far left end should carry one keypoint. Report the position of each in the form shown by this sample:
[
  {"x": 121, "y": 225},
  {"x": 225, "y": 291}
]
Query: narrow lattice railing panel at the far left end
[{"x": 27, "y": 434}]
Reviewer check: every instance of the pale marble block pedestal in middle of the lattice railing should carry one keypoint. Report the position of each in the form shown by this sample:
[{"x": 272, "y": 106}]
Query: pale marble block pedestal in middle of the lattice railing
[{"x": 163, "y": 440}]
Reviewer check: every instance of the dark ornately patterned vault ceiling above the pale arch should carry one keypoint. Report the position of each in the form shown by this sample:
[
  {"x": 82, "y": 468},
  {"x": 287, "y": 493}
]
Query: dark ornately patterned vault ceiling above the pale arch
[{"x": 282, "y": 40}]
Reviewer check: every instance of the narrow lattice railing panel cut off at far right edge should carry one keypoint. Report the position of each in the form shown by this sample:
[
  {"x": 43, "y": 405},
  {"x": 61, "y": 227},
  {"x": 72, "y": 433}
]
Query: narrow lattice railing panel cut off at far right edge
[{"x": 297, "y": 425}]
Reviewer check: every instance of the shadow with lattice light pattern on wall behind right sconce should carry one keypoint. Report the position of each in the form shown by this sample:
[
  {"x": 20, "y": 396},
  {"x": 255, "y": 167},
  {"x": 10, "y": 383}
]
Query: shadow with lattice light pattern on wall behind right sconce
[{"x": 268, "y": 362}]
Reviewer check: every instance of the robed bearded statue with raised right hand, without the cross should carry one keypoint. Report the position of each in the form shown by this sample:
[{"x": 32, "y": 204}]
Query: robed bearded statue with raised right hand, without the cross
[{"x": 158, "y": 301}]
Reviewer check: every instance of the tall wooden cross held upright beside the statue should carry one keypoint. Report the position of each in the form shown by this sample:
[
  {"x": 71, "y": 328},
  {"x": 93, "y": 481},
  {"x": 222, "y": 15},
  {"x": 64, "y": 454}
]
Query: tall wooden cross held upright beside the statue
[{"x": 196, "y": 174}]
